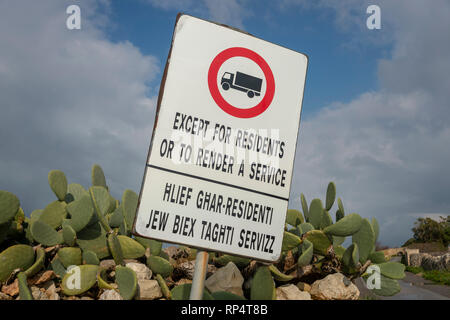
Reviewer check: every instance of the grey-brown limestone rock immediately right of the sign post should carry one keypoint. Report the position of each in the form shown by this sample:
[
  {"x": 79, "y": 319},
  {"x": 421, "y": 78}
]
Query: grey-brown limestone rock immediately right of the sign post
[{"x": 227, "y": 278}]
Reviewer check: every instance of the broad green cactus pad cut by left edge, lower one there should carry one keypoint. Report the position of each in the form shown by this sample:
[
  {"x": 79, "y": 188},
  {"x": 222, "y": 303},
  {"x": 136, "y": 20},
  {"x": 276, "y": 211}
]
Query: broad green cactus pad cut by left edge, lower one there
[{"x": 19, "y": 256}]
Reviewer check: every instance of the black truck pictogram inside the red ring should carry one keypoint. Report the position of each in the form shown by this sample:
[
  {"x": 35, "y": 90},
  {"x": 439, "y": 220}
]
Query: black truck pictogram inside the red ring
[{"x": 242, "y": 82}]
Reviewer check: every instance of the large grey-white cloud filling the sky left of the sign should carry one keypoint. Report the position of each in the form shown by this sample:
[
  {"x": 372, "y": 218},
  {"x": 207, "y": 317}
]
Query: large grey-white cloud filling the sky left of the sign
[{"x": 69, "y": 98}]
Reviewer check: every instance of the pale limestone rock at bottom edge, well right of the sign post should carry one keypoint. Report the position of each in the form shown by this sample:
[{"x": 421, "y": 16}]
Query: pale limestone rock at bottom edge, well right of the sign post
[{"x": 334, "y": 287}]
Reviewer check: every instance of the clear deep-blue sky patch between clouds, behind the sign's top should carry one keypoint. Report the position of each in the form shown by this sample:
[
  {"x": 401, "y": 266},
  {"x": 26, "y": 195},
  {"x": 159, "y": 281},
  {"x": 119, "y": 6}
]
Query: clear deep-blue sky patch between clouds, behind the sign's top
[{"x": 337, "y": 71}]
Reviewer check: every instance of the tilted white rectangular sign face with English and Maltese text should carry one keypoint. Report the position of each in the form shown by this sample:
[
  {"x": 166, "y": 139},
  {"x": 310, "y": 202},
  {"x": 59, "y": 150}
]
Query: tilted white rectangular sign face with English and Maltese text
[{"x": 219, "y": 170}]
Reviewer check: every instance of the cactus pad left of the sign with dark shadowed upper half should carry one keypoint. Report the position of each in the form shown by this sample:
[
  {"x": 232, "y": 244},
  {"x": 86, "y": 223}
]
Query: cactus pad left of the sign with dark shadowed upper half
[{"x": 93, "y": 238}]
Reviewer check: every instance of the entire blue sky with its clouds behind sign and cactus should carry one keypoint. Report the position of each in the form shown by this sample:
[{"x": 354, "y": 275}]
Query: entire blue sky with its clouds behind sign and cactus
[{"x": 375, "y": 114}]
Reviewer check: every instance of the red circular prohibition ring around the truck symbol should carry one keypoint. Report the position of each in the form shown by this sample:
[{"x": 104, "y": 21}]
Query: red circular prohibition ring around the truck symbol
[{"x": 215, "y": 93}]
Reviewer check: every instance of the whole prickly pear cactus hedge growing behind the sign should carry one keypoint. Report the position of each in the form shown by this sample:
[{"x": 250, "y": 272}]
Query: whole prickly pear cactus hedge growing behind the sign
[{"x": 84, "y": 241}]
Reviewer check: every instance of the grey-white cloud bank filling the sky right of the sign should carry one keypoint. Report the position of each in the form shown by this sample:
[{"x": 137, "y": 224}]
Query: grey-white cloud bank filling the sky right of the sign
[{"x": 388, "y": 150}]
